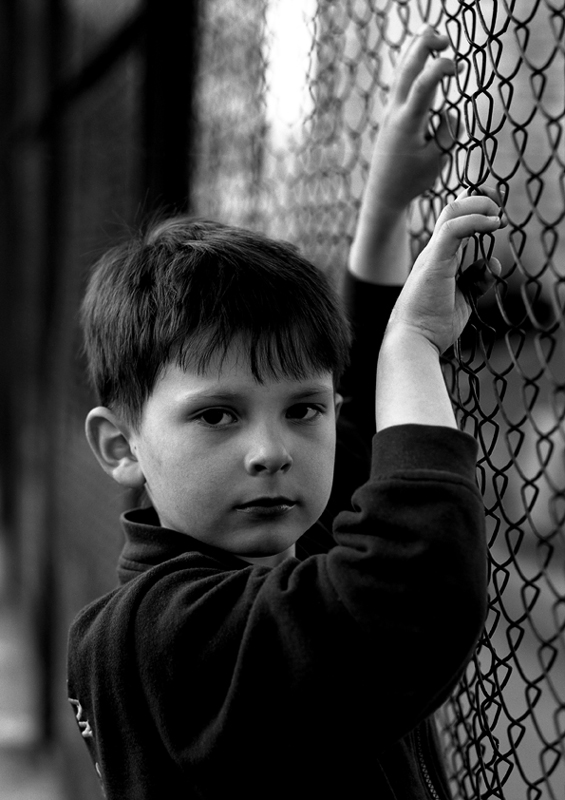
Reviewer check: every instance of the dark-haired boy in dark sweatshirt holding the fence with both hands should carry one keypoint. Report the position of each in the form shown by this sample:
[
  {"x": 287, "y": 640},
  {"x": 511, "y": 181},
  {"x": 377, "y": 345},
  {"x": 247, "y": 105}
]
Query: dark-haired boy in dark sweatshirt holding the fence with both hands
[{"x": 246, "y": 652}]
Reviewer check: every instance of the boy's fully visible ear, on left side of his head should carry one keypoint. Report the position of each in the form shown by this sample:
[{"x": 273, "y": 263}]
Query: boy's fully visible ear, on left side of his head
[{"x": 110, "y": 441}]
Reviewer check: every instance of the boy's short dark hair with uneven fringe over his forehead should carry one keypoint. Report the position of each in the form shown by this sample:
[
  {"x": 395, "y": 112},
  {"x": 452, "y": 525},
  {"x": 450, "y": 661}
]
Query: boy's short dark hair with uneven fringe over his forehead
[{"x": 184, "y": 289}]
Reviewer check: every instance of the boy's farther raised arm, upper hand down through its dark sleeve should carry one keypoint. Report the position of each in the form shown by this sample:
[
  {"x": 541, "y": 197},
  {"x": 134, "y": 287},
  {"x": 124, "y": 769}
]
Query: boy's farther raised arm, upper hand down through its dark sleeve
[{"x": 405, "y": 162}]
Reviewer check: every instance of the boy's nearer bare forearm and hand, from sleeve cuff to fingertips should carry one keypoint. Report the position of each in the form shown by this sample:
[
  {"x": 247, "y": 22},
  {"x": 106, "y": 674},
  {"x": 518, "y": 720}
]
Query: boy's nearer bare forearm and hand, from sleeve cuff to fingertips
[{"x": 430, "y": 315}]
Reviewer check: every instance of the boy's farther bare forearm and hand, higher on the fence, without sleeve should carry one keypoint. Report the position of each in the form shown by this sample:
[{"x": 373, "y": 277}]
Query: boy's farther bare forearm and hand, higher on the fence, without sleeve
[{"x": 405, "y": 162}]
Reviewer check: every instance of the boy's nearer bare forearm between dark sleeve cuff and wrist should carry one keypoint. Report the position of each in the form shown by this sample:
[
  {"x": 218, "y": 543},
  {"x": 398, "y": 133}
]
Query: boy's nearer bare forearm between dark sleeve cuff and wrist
[{"x": 410, "y": 384}]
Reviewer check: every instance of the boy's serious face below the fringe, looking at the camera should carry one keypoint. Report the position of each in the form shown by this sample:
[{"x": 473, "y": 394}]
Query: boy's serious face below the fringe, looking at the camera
[{"x": 243, "y": 466}]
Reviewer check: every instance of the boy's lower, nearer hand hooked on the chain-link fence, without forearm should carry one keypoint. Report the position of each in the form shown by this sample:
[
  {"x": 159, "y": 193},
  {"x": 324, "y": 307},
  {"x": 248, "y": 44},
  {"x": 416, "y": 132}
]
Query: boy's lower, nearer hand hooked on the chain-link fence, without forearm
[{"x": 433, "y": 304}]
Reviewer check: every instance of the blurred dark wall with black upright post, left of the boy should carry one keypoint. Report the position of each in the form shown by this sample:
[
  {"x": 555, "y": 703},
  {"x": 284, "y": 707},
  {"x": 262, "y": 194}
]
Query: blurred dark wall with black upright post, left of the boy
[{"x": 95, "y": 127}]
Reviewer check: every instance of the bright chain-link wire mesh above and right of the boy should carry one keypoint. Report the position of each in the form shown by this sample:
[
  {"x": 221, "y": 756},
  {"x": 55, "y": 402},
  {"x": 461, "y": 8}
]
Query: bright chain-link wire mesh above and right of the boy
[{"x": 289, "y": 99}]
